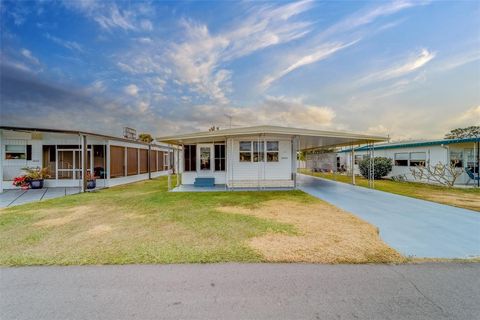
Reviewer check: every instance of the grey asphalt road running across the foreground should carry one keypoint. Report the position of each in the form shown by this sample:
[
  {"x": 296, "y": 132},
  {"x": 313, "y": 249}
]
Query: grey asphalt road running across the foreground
[{"x": 242, "y": 291}]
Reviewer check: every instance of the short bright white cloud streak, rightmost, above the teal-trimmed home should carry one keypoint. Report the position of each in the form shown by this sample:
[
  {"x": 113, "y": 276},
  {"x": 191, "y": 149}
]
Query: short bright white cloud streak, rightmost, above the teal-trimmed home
[{"x": 412, "y": 64}]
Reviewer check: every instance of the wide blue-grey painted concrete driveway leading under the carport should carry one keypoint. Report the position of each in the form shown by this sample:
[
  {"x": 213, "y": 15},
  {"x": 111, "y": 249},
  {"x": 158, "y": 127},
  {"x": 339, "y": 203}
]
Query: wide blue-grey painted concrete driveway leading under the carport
[{"x": 413, "y": 227}]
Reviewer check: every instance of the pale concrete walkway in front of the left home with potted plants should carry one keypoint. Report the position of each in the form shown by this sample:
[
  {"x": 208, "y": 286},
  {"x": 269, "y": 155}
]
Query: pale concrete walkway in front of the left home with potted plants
[{"x": 16, "y": 197}]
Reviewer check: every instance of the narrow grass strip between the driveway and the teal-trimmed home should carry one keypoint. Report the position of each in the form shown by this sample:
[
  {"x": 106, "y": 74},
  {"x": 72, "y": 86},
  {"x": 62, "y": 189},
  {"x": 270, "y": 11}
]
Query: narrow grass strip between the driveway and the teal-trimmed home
[{"x": 458, "y": 197}]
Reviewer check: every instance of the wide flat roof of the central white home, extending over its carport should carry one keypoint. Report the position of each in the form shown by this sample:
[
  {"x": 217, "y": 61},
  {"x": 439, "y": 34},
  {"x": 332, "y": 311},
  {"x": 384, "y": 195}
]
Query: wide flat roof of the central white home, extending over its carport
[{"x": 308, "y": 138}]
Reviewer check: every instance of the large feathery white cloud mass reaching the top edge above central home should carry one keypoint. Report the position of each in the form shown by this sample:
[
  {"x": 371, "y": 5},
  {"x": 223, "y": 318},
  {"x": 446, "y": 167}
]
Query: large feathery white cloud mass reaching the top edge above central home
[{"x": 198, "y": 59}]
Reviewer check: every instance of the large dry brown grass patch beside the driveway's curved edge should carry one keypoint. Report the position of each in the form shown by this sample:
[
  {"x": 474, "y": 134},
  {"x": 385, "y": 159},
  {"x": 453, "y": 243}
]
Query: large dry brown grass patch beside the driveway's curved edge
[{"x": 328, "y": 235}]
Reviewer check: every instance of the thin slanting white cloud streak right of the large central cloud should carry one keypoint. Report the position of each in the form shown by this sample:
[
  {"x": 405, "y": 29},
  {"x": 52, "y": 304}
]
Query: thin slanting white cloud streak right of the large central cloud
[{"x": 319, "y": 54}]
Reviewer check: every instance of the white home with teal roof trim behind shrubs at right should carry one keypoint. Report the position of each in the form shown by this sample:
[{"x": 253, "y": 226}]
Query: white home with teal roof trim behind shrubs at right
[{"x": 406, "y": 155}]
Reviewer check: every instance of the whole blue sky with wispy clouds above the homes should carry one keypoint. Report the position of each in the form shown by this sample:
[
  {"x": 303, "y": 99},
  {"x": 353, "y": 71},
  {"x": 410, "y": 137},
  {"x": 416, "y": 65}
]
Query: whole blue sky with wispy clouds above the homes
[{"x": 407, "y": 69}]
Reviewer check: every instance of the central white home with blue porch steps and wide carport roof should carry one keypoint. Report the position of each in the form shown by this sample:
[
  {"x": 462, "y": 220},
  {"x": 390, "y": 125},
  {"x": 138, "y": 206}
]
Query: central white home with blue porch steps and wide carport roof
[{"x": 252, "y": 157}]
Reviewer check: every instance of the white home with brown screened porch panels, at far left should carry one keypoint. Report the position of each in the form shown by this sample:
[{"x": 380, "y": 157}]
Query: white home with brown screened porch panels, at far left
[{"x": 69, "y": 155}]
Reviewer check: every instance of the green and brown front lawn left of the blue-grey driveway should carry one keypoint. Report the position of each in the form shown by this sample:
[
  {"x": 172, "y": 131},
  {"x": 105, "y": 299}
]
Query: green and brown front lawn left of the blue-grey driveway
[{"x": 143, "y": 223}]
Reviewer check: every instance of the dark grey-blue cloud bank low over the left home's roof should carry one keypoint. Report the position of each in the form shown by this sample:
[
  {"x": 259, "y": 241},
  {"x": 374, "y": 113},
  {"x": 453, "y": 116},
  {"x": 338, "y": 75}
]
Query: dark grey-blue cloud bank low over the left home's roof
[{"x": 31, "y": 101}]
